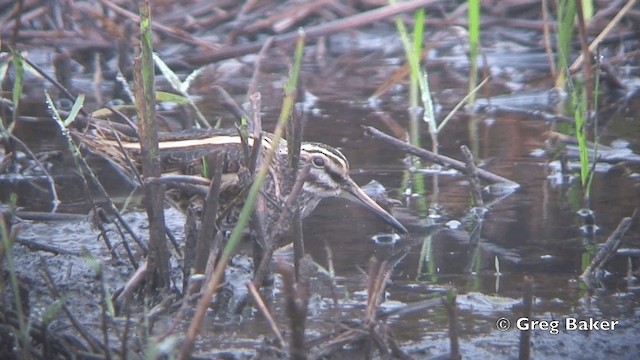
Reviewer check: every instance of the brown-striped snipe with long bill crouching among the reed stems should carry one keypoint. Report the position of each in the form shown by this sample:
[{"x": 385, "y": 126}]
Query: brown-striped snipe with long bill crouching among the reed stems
[{"x": 328, "y": 174}]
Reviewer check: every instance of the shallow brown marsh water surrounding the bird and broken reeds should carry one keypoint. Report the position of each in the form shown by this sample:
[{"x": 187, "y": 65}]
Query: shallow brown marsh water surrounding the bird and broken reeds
[{"x": 534, "y": 231}]
